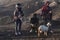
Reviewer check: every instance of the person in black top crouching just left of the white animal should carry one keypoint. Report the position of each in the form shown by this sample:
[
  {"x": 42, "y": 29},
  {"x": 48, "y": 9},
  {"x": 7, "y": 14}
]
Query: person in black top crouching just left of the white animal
[{"x": 34, "y": 23}]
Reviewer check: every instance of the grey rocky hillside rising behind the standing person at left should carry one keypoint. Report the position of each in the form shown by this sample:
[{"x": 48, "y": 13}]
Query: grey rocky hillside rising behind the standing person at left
[{"x": 7, "y": 8}]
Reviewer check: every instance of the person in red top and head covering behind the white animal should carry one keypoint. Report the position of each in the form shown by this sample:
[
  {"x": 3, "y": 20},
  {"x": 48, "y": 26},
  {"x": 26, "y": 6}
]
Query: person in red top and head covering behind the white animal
[{"x": 46, "y": 12}]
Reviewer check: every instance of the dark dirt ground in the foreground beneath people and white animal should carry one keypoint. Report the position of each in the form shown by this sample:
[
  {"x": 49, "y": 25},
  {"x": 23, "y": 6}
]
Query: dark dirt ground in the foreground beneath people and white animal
[{"x": 7, "y": 33}]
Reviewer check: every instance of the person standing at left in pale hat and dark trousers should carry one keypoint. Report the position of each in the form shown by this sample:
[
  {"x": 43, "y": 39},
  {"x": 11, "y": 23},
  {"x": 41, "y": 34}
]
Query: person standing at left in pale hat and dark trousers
[{"x": 18, "y": 14}]
